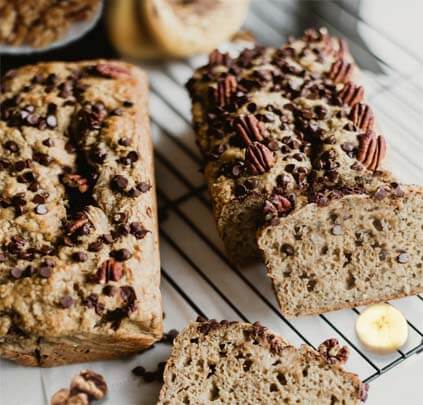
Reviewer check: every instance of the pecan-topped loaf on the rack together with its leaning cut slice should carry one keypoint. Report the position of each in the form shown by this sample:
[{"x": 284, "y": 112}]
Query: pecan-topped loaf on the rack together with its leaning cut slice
[{"x": 290, "y": 144}]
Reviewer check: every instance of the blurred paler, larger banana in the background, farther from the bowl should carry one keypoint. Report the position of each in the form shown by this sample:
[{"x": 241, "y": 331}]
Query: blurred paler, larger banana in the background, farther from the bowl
[{"x": 185, "y": 27}]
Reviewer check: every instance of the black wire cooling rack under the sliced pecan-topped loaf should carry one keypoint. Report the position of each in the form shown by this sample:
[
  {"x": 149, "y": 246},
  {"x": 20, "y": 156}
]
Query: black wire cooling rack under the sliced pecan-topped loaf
[{"x": 194, "y": 263}]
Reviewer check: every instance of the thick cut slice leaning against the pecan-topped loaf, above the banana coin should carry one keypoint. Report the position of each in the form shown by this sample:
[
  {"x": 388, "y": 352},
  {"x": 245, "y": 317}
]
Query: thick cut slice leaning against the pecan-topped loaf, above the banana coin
[{"x": 355, "y": 251}]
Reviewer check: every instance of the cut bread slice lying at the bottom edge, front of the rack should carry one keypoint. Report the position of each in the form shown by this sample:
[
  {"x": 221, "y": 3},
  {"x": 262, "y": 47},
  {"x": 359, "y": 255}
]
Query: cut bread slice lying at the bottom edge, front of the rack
[{"x": 240, "y": 363}]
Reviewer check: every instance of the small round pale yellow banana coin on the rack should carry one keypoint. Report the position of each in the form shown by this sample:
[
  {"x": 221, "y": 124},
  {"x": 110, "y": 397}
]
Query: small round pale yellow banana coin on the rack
[{"x": 382, "y": 329}]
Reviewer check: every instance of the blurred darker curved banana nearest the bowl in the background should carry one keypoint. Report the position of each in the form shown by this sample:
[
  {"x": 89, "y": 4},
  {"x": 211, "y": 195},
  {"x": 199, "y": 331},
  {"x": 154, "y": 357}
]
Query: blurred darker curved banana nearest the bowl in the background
[{"x": 128, "y": 32}]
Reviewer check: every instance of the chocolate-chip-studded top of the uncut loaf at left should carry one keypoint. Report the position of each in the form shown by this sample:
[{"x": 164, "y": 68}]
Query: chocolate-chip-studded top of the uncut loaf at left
[{"x": 78, "y": 228}]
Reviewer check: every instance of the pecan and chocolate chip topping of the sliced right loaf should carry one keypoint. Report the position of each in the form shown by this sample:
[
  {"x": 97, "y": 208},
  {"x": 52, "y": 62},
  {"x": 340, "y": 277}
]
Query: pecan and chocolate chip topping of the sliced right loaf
[{"x": 289, "y": 123}]
